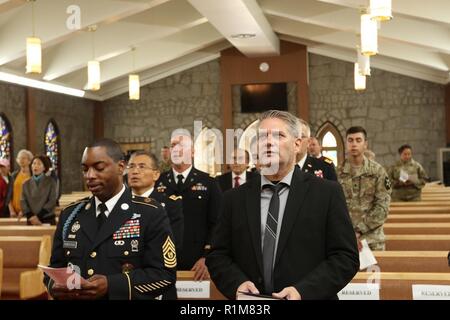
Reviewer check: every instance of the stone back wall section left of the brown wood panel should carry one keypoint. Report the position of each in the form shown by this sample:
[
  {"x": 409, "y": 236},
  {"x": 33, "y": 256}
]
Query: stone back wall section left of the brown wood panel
[{"x": 165, "y": 105}]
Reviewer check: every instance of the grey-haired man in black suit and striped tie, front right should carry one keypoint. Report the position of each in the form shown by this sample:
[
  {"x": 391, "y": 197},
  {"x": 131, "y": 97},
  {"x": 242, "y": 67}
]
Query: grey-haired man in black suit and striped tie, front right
[{"x": 284, "y": 233}]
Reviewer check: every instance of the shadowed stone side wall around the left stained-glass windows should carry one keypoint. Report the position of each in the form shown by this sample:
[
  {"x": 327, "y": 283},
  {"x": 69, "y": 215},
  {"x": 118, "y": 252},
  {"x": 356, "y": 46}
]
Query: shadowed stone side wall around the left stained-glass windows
[{"x": 73, "y": 116}]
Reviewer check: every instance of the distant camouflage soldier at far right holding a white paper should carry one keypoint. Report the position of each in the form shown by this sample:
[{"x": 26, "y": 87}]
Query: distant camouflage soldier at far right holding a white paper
[{"x": 408, "y": 177}]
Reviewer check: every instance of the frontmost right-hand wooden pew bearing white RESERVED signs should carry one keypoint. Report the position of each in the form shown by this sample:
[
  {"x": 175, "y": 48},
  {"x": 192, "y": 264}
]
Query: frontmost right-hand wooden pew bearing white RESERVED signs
[{"x": 398, "y": 286}]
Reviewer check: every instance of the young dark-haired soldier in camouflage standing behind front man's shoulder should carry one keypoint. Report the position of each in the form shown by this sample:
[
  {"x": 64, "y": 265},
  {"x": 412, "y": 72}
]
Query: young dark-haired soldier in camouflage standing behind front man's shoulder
[{"x": 367, "y": 190}]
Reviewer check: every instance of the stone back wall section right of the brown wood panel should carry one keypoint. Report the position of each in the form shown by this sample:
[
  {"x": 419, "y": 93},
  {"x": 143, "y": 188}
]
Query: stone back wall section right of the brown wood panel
[{"x": 394, "y": 109}]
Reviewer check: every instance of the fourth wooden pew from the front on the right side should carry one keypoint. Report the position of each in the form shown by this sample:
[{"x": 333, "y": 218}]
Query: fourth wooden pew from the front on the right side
[{"x": 417, "y": 228}]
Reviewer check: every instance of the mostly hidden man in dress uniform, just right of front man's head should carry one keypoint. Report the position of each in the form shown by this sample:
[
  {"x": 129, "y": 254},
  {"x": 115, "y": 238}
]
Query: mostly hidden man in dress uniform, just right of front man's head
[{"x": 312, "y": 165}]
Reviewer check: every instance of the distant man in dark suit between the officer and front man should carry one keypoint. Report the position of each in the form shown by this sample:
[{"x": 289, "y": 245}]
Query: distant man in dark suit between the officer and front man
[{"x": 238, "y": 175}]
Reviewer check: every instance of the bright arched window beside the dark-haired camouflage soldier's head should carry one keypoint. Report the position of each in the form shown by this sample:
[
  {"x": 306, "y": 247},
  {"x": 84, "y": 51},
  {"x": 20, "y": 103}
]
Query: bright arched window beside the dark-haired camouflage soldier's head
[{"x": 331, "y": 142}]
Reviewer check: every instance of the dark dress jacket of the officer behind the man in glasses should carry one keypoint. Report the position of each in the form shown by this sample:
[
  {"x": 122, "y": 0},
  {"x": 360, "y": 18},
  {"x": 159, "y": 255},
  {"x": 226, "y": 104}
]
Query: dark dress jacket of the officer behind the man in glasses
[{"x": 201, "y": 205}]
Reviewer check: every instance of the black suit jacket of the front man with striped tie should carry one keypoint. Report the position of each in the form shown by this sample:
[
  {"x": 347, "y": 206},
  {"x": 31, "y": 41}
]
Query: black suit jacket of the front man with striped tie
[{"x": 317, "y": 251}]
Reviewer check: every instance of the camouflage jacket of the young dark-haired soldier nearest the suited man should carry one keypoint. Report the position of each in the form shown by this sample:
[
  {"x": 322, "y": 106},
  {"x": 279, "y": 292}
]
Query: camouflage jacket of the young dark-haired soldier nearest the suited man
[{"x": 367, "y": 191}]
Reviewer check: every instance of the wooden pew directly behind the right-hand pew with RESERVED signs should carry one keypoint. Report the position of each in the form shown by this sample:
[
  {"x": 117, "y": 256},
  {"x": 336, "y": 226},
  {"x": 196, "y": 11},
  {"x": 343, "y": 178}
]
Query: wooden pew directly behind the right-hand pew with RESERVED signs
[{"x": 412, "y": 261}]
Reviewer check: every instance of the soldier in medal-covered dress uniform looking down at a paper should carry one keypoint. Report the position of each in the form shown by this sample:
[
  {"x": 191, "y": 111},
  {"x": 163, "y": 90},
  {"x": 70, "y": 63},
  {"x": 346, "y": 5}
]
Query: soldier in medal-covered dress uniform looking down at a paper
[{"x": 121, "y": 244}]
